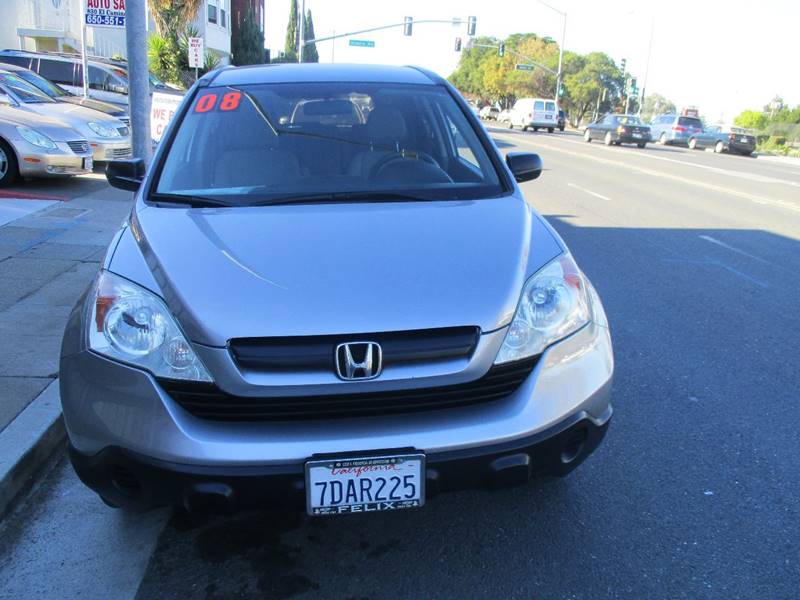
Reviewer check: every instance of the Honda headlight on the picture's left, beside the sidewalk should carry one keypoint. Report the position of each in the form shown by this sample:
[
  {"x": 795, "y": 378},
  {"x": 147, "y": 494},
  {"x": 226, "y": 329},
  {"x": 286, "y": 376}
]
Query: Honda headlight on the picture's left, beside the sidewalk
[{"x": 131, "y": 324}]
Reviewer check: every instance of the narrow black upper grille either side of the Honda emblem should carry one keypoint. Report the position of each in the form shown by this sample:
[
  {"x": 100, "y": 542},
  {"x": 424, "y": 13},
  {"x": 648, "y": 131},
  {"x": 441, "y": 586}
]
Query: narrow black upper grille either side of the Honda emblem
[{"x": 317, "y": 352}]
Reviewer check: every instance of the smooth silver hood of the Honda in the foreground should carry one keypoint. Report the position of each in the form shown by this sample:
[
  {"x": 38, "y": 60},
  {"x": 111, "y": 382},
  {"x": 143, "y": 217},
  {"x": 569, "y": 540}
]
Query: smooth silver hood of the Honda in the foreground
[{"x": 336, "y": 268}]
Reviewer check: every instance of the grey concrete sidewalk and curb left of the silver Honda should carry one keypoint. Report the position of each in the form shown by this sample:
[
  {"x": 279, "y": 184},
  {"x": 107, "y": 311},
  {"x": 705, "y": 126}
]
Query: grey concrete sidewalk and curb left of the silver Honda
[{"x": 47, "y": 258}]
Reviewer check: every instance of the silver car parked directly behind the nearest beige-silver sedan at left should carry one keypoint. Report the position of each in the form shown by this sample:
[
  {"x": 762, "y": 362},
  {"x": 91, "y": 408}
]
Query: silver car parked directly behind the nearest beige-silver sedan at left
[{"x": 109, "y": 138}]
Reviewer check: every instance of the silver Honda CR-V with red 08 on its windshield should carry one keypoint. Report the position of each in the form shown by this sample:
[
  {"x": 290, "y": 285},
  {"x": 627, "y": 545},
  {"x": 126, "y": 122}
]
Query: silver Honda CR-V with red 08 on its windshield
[{"x": 330, "y": 293}]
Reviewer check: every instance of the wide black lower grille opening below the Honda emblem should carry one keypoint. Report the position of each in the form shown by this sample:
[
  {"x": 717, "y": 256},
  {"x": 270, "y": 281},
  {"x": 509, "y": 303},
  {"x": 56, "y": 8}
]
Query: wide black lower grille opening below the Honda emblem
[{"x": 207, "y": 401}]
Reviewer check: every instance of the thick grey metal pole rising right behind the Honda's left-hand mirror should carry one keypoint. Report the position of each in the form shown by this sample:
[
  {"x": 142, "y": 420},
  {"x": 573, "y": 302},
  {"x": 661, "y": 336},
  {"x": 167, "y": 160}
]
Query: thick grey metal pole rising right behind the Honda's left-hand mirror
[{"x": 138, "y": 80}]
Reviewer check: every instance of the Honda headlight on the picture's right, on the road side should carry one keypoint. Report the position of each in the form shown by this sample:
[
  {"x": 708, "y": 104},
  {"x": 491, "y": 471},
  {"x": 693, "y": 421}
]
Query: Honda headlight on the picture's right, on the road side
[{"x": 555, "y": 302}]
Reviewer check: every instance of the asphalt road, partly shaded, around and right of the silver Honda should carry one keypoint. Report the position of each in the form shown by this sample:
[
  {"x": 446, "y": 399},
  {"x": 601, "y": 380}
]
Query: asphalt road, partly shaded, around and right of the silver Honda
[{"x": 694, "y": 494}]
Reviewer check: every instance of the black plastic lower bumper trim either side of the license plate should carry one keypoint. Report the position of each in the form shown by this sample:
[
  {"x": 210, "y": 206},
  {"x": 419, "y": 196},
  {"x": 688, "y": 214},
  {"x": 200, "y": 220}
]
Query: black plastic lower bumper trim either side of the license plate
[{"x": 131, "y": 481}]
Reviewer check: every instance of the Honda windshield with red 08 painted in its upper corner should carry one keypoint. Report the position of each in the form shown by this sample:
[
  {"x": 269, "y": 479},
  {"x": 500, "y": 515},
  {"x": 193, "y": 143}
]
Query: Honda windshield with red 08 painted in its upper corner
[{"x": 259, "y": 143}]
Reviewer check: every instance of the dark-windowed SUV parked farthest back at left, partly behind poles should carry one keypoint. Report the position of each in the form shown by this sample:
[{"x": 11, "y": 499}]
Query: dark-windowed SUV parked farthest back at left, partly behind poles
[{"x": 108, "y": 80}]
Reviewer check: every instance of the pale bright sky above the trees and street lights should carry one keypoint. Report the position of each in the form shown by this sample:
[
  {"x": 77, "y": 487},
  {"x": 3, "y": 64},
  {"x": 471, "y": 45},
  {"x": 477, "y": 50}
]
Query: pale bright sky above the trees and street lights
[{"x": 723, "y": 56}]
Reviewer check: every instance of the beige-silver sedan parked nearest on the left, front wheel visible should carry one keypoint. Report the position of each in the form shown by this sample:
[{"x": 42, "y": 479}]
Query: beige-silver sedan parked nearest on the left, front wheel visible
[{"x": 35, "y": 146}]
